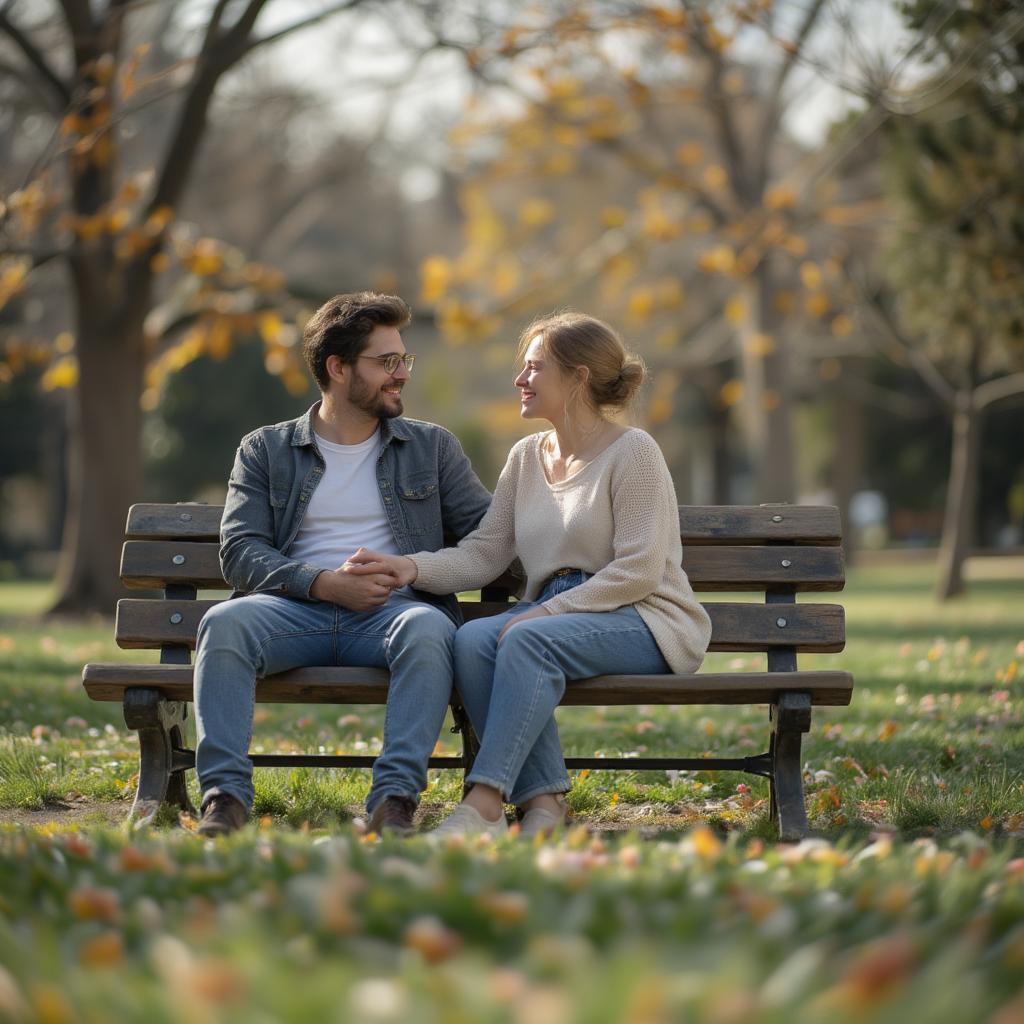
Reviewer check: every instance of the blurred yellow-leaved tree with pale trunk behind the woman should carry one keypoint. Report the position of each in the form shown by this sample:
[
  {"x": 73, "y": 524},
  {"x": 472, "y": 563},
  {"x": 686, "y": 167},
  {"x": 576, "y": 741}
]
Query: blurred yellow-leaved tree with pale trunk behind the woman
[{"x": 645, "y": 152}]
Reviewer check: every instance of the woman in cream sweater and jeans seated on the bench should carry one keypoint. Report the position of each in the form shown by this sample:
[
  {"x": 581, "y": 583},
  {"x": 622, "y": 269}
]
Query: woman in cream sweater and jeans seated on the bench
[{"x": 590, "y": 510}]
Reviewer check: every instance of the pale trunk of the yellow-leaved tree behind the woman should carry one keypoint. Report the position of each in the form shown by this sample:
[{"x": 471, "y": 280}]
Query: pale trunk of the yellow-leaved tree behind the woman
[{"x": 767, "y": 403}]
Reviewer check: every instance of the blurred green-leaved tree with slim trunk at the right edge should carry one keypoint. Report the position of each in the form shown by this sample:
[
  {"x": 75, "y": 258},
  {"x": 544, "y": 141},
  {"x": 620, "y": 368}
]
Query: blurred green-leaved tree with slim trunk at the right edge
[{"x": 956, "y": 257}]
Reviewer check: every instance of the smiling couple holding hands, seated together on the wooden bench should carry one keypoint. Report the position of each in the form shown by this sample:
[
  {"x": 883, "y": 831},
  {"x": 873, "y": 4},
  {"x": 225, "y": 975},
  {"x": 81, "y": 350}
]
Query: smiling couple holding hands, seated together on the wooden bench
[{"x": 334, "y": 531}]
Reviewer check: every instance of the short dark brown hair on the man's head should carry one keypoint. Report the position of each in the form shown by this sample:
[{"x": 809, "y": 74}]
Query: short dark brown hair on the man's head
[{"x": 343, "y": 327}]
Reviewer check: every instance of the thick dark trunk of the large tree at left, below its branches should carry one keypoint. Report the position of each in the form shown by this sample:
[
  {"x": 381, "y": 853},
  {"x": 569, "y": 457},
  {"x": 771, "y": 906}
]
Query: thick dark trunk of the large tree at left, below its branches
[{"x": 104, "y": 457}]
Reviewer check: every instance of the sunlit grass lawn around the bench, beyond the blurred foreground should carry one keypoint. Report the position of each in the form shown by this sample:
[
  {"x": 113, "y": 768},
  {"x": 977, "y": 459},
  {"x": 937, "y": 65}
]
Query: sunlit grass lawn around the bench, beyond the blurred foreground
[{"x": 933, "y": 743}]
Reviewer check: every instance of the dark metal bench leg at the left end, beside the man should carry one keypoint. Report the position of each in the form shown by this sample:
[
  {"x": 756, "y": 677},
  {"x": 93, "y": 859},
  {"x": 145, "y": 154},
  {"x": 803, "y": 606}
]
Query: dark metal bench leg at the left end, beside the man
[{"x": 162, "y": 759}]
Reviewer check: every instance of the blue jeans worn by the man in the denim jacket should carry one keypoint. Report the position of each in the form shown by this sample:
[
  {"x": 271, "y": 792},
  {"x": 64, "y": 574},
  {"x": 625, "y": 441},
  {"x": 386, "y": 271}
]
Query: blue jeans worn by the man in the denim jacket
[{"x": 262, "y": 634}]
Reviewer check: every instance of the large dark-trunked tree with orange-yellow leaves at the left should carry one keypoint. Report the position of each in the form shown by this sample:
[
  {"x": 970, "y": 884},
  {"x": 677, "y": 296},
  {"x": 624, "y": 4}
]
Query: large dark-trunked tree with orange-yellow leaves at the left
[{"x": 114, "y": 230}]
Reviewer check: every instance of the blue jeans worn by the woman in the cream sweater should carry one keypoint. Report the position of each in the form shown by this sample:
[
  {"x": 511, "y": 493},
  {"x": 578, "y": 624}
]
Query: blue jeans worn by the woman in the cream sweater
[{"x": 511, "y": 690}]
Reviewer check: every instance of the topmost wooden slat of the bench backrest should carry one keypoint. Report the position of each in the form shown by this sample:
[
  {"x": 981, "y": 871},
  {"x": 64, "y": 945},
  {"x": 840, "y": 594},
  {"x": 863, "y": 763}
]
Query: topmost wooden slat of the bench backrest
[{"x": 698, "y": 524}]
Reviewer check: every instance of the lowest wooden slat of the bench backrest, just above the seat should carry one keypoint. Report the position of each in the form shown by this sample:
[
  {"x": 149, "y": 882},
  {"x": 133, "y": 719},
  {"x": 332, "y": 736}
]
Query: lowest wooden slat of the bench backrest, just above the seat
[{"x": 736, "y": 627}]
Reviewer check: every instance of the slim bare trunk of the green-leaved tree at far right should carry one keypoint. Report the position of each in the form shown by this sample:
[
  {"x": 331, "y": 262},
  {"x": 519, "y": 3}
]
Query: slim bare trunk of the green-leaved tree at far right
[{"x": 962, "y": 494}]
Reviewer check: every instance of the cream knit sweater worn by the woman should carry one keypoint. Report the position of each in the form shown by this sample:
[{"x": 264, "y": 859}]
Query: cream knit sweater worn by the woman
[{"x": 617, "y": 519}]
